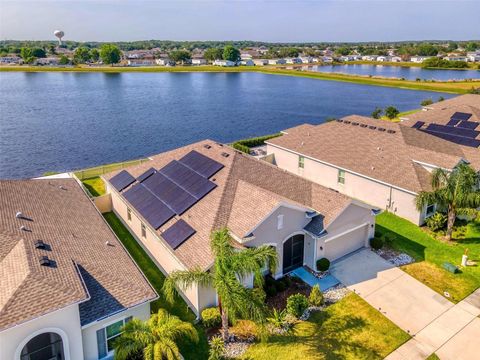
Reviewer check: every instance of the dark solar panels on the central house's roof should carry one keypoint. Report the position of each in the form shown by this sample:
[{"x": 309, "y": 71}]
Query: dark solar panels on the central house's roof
[{"x": 159, "y": 195}]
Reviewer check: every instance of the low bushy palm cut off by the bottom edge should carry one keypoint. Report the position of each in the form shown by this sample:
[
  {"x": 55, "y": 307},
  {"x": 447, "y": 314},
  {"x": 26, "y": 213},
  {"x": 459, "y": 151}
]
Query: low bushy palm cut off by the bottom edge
[{"x": 155, "y": 338}]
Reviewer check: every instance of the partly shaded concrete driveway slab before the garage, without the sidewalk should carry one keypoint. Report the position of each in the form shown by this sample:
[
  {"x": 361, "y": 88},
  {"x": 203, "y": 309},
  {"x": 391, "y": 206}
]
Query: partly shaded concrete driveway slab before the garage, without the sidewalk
[{"x": 401, "y": 298}]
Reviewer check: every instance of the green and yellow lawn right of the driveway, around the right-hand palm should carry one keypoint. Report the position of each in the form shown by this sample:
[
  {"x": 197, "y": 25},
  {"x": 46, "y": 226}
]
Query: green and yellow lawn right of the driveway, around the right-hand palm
[{"x": 431, "y": 253}]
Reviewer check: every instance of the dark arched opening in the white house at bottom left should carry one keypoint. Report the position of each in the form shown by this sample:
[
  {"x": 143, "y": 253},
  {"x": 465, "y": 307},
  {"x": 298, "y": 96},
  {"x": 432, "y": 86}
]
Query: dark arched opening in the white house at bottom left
[{"x": 45, "y": 346}]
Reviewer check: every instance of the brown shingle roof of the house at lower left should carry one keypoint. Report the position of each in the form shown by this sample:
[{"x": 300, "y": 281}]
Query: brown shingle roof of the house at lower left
[{"x": 102, "y": 278}]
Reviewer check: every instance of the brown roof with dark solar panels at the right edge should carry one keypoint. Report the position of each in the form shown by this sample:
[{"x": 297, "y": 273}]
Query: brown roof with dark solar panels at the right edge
[{"x": 456, "y": 120}]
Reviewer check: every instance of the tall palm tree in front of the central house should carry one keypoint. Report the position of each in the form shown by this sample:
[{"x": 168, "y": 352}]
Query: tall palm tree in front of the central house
[{"x": 230, "y": 267}]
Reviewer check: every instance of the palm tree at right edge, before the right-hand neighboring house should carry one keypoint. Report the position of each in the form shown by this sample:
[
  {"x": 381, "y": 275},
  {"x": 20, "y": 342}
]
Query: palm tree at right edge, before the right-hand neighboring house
[{"x": 454, "y": 191}]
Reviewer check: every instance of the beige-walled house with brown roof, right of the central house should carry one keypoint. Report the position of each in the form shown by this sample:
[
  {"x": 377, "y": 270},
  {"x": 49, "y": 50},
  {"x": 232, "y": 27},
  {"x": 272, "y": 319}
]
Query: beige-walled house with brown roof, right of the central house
[{"x": 382, "y": 163}]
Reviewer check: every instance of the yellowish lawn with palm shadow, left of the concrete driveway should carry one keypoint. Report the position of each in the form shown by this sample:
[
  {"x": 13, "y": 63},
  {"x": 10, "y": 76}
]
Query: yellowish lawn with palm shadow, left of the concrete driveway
[{"x": 349, "y": 329}]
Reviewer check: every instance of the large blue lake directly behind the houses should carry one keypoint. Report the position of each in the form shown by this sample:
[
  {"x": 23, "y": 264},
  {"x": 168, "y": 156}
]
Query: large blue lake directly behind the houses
[{"x": 65, "y": 121}]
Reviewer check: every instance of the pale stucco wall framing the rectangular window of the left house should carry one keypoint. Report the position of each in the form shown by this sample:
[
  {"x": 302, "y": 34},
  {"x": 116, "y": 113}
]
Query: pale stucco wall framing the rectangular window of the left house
[{"x": 89, "y": 331}]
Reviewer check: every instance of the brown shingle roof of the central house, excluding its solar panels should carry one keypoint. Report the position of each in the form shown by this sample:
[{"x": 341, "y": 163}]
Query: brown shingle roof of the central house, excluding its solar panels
[{"x": 247, "y": 190}]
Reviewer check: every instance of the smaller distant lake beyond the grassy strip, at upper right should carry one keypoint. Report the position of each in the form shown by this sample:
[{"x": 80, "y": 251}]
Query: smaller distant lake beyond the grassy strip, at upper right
[{"x": 409, "y": 73}]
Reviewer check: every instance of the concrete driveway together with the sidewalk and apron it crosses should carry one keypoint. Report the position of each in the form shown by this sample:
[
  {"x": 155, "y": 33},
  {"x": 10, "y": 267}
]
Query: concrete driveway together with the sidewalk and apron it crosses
[{"x": 436, "y": 324}]
